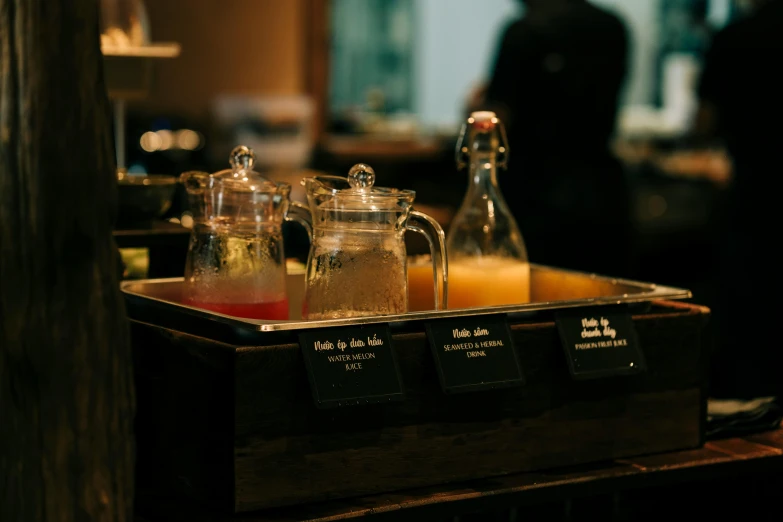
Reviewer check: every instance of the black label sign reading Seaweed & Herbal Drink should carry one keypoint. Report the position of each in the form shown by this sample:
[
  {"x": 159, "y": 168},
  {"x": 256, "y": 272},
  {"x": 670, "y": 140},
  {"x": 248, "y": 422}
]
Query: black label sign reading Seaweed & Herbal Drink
[{"x": 474, "y": 353}]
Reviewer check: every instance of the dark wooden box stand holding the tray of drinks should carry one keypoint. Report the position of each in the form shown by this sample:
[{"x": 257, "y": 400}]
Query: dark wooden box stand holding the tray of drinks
[{"x": 235, "y": 427}]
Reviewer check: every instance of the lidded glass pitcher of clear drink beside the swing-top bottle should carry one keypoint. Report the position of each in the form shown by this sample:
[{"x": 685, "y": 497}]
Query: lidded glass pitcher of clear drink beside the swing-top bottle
[{"x": 357, "y": 261}]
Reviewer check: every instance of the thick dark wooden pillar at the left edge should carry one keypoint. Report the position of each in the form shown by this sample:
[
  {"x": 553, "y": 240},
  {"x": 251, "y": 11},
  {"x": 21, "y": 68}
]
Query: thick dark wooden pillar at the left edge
[{"x": 66, "y": 394}]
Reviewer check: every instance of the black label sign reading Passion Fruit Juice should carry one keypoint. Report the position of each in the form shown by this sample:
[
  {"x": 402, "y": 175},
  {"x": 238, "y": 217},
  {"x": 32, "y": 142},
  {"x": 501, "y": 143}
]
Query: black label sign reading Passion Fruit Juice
[{"x": 600, "y": 342}]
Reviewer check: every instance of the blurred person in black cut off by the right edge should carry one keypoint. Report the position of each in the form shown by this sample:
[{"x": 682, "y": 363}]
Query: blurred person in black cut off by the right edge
[{"x": 741, "y": 106}]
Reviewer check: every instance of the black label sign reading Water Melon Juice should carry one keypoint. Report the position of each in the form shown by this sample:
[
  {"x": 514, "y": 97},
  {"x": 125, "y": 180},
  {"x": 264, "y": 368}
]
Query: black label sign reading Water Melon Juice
[{"x": 351, "y": 366}]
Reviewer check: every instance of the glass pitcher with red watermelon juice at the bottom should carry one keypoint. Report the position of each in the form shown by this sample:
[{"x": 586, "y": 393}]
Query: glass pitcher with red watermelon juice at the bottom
[{"x": 235, "y": 261}]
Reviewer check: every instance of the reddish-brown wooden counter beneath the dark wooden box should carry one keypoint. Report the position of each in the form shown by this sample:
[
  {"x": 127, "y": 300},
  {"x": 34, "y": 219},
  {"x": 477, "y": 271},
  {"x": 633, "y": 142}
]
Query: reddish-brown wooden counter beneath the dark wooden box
[{"x": 720, "y": 466}]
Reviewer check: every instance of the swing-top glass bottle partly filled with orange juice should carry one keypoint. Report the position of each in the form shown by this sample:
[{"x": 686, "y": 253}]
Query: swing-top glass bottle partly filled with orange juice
[{"x": 488, "y": 261}]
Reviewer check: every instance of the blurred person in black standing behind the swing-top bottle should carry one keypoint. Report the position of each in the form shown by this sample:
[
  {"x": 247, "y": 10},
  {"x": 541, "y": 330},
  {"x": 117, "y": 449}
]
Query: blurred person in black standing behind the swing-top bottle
[{"x": 556, "y": 81}]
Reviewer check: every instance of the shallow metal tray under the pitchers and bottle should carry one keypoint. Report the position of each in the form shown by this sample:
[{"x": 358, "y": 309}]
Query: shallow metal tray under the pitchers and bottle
[{"x": 159, "y": 301}]
